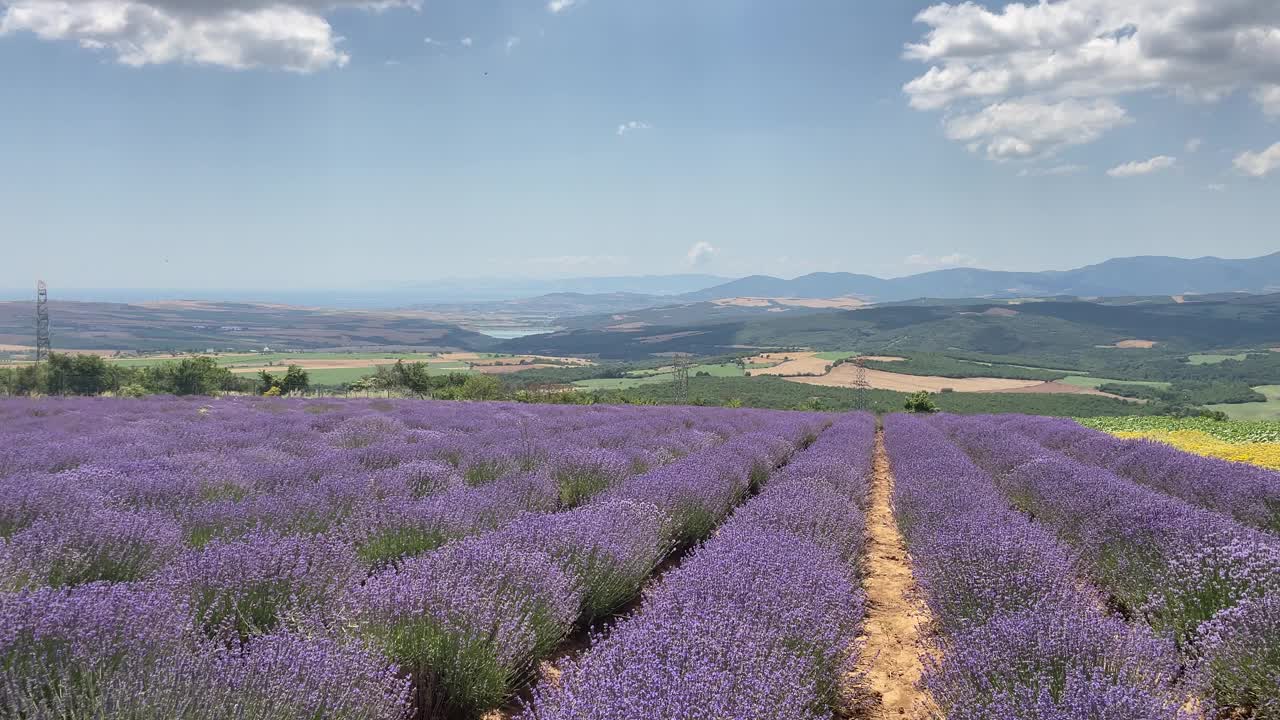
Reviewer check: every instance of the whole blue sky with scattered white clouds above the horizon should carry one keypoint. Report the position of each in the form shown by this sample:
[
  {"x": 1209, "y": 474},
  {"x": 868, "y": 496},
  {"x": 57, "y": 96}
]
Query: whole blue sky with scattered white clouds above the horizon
[{"x": 342, "y": 143}]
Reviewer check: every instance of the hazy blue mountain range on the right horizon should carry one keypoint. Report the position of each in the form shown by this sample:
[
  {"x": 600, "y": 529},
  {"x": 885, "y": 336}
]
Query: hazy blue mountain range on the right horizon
[{"x": 1142, "y": 276}]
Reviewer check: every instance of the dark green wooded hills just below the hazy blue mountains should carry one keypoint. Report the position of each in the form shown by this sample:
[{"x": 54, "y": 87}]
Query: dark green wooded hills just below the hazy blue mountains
[{"x": 1043, "y": 329}]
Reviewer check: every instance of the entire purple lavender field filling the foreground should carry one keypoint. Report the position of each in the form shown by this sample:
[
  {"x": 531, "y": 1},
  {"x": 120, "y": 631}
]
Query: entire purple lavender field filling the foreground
[{"x": 289, "y": 560}]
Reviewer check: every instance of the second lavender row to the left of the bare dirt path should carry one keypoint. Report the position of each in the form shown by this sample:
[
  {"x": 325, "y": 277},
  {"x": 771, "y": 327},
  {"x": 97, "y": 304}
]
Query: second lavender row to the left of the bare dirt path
[{"x": 472, "y": 621}]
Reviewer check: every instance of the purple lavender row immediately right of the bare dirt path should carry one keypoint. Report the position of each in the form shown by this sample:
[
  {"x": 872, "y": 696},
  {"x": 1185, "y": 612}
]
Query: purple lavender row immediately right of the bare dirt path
[{"x": 1018, "y": 637}]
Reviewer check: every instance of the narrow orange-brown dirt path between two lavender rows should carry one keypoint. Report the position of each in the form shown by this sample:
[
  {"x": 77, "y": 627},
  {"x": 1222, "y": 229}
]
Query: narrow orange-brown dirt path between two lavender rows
[{"x": 895, "y": 618}]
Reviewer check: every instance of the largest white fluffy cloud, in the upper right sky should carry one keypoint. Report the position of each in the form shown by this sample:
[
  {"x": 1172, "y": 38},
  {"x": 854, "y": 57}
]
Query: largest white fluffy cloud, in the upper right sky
[{"x": 1090, "y": 53}]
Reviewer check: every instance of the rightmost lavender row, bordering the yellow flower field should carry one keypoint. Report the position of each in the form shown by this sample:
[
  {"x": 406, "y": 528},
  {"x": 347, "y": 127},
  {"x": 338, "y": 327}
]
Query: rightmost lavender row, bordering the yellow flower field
[{"x": 1246, "y": 493}]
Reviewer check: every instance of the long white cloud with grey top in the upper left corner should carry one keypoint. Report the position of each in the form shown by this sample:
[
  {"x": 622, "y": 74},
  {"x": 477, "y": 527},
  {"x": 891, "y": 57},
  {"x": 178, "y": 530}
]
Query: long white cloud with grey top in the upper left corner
[{"x": 291, "y": 35}]
